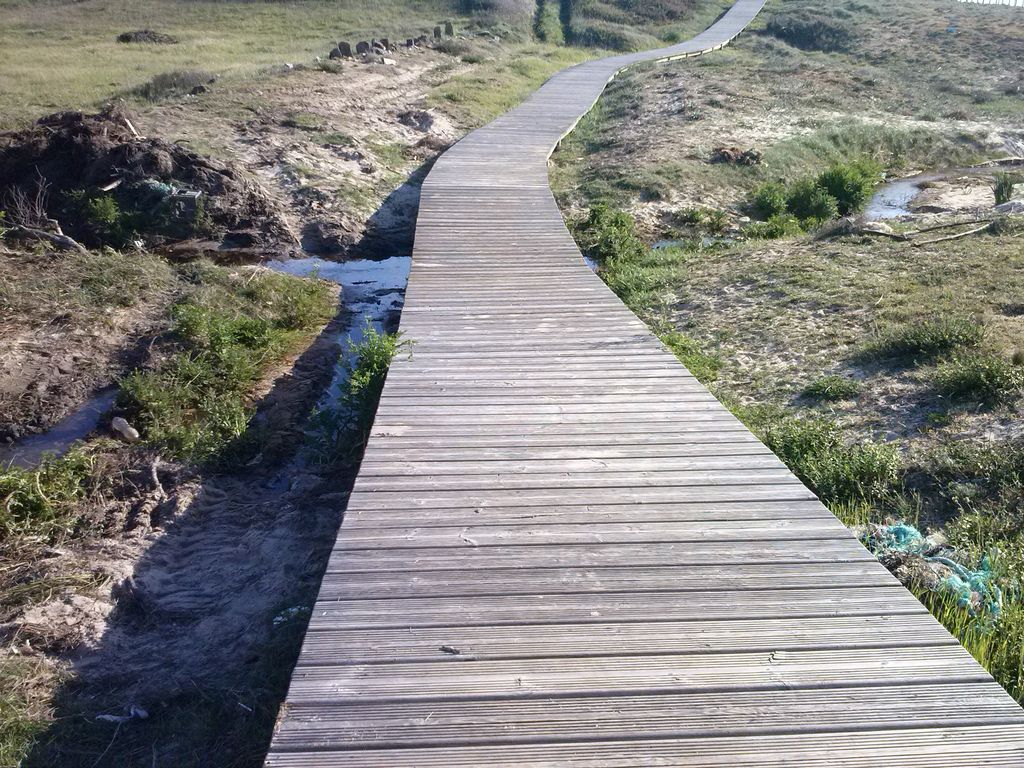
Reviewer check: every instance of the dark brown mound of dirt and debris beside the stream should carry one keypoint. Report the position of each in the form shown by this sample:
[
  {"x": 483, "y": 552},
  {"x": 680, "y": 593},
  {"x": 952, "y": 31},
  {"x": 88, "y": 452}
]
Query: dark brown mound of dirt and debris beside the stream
[{"x": 107, "y": 186}]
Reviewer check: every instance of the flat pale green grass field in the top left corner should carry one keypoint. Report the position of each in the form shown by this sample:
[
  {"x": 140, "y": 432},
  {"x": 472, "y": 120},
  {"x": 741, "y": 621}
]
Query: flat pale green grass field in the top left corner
[{"x": 232, "y": 38}]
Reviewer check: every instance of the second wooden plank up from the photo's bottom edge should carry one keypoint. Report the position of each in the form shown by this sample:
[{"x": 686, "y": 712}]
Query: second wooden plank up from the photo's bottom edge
[{"x": 676, "y": 716}]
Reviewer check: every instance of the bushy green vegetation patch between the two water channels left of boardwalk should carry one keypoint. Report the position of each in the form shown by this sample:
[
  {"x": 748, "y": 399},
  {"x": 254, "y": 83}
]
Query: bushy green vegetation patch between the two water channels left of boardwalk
[{"x": 195, "y": 403}]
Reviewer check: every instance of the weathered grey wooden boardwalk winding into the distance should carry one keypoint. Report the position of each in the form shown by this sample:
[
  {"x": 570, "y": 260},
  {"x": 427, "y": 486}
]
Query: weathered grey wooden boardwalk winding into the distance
[{"x": 563, "y": 551}]
